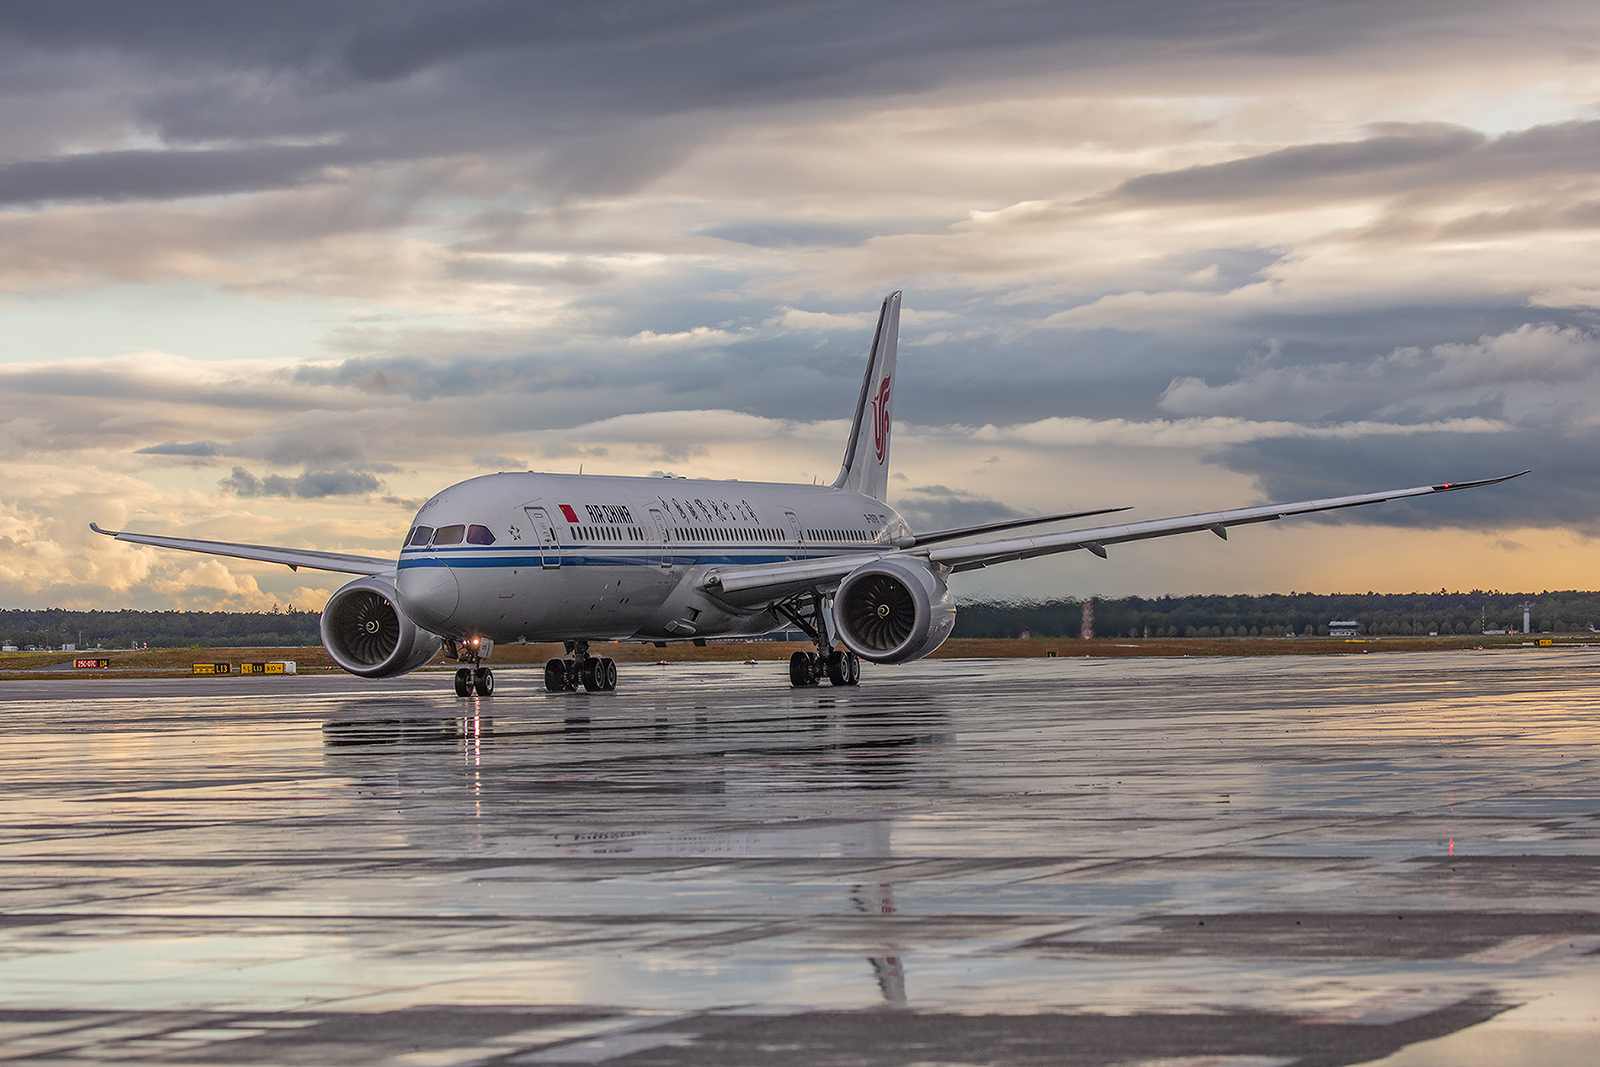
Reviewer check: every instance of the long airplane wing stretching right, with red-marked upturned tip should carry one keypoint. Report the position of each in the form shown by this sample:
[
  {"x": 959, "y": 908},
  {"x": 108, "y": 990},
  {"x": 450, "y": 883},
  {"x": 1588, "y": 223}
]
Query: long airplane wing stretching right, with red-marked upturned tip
[{"x": 766, "y": 581}]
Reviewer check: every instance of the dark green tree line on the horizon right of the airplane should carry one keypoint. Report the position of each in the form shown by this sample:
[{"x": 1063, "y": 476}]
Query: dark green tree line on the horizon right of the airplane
[{"x": 1278, "y": 615}]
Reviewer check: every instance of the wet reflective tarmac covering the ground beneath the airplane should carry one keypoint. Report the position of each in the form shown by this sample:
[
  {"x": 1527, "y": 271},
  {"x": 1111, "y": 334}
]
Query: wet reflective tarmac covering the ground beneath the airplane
[{"x": 1063, "y": 861}]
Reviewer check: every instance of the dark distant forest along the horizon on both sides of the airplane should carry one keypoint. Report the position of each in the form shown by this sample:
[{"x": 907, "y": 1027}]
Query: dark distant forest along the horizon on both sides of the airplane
[{"x": 1273, "y": 615}]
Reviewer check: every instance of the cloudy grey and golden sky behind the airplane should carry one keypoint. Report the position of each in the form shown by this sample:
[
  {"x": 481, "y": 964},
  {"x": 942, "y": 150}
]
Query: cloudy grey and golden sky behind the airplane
[{"x": 279, "y": 273}]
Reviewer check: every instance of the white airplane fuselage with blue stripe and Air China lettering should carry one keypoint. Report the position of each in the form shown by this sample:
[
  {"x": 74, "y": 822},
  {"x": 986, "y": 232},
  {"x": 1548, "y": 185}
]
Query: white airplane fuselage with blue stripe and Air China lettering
[{"x": 543, "y": 557}]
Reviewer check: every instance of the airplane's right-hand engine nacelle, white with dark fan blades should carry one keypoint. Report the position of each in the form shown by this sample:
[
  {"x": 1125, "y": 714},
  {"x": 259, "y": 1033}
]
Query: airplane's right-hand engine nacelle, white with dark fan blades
[{"x": 894, "y": 610}]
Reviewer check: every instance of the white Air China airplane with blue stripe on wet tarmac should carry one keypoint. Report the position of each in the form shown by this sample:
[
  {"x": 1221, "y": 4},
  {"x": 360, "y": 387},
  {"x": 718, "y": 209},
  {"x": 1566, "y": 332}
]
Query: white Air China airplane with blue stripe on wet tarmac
[{"x": 553, "y": 557}]
